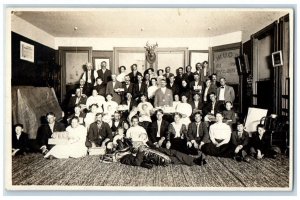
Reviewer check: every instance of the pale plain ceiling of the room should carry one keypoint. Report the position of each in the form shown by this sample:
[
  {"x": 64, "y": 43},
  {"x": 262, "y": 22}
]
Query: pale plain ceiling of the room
[{"x": 149, "y": 22}]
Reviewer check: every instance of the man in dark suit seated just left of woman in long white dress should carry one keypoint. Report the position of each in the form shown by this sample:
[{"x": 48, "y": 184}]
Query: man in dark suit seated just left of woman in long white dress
[{"x": 45, "y": 132}]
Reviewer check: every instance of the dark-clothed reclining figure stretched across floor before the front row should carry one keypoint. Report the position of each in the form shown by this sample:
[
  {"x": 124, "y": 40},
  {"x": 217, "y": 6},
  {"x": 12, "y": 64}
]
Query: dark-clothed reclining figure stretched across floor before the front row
[{"x": 147, "y": 157}]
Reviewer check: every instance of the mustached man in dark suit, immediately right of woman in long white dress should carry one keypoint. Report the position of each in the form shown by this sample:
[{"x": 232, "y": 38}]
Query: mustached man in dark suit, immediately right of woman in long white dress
[{"x": 99, "y": 134}]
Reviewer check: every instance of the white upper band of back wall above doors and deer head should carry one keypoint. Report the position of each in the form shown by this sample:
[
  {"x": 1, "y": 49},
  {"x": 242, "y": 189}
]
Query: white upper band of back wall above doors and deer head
[{"x": 201, "y": 43}]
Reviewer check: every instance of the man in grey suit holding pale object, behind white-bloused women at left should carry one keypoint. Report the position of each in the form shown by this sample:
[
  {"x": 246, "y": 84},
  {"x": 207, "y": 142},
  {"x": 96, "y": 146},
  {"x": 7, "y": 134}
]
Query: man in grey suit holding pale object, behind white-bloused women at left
[{"x": 113, "y": 87}]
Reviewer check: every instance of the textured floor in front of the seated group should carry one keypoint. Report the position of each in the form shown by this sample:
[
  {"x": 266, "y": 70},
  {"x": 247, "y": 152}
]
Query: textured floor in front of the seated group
[{"x": 33, "y": 169}]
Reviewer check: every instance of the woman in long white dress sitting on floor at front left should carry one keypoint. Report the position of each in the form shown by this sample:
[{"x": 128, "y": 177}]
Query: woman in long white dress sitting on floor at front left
[{"x": 75, "y": 147}]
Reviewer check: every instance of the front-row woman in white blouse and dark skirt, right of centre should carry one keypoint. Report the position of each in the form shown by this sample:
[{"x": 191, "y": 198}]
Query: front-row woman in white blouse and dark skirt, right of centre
[{"x": 219, "y": 134}]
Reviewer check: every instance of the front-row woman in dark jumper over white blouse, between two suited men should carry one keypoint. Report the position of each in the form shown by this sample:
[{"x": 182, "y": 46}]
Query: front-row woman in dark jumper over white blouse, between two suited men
[{"x": 177, "y": 135}]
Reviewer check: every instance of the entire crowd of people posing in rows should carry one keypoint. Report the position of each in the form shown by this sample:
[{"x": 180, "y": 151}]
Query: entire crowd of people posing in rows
[{"x": 179, "y": 118}]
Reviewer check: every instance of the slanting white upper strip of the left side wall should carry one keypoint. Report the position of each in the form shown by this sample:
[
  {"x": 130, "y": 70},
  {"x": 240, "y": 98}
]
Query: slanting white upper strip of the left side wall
[{"x": 26, "y": 29}]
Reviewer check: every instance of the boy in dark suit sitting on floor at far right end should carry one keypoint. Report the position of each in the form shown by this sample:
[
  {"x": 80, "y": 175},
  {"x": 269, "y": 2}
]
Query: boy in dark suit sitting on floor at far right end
[{"x": 261, "y": 144}]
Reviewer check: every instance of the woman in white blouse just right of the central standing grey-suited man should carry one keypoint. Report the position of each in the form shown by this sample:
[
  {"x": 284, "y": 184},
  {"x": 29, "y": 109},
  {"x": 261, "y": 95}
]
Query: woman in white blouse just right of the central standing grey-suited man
[{"x": 185, "y": 109}]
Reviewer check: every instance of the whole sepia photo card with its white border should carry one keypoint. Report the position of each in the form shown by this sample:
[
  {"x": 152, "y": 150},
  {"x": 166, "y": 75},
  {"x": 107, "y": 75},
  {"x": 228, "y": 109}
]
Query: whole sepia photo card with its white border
[{"x": 149, "y": 99}]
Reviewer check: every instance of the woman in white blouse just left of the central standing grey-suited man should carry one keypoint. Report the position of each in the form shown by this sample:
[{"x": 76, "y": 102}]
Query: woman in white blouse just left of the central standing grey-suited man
[{"x": 145, "y": 111}]
